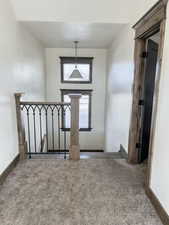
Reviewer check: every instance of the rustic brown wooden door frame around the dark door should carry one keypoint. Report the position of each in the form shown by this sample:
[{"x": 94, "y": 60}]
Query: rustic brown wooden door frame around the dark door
[{"x": 150, "y": 23}]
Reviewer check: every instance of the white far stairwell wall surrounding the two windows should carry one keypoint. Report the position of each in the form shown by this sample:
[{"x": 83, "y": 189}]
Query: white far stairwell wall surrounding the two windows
[{"x": 95, "y": 138}]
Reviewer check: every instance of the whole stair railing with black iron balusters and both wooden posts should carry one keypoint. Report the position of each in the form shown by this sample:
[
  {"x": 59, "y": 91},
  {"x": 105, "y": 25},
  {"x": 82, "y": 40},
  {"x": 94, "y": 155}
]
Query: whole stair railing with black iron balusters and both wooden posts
[{"x": 39, "y": 124}]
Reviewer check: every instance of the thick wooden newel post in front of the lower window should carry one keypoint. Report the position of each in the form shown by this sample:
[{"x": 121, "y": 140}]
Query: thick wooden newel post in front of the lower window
[{"x": 74, "y": 151}]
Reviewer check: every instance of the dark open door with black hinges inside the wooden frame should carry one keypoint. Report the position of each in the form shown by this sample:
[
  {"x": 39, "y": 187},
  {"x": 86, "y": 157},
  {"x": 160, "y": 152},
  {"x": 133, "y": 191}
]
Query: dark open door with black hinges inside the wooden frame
[{"x": 148, "y": 94}]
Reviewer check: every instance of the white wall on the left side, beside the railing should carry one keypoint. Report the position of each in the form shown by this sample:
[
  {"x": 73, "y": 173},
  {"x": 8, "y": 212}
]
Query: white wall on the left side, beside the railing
[{"x": 21, "y": 70}]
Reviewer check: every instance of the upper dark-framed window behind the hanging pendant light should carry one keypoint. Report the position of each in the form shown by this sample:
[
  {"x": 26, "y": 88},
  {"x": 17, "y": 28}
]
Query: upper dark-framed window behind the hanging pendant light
[{"x": 84, "y": 65}]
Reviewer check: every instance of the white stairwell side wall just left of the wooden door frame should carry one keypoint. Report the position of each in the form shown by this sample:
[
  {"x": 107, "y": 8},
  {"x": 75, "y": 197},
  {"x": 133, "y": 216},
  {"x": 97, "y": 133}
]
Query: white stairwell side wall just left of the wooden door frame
[{"x": 119, "y": 85}]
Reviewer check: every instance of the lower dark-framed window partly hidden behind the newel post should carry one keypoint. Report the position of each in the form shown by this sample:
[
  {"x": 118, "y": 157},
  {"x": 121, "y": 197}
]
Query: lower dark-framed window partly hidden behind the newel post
[{"x": 85, "y": 109}]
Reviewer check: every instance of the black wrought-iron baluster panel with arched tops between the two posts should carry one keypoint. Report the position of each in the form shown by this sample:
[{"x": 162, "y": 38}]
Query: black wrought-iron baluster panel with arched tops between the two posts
[{"x": 35, "y": 129}]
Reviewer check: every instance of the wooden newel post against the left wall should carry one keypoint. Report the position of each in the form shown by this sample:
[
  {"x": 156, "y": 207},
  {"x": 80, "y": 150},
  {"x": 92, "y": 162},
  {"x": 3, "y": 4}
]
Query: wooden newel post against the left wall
[{"x": 20, "y": 127}]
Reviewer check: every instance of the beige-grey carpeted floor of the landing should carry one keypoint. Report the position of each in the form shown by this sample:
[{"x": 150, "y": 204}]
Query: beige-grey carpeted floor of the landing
[{"x": 88, "y": 192}]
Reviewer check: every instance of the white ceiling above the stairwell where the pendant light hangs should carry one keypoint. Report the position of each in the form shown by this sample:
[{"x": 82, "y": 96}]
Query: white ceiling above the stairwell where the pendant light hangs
[{"x": 62, "y": 35}]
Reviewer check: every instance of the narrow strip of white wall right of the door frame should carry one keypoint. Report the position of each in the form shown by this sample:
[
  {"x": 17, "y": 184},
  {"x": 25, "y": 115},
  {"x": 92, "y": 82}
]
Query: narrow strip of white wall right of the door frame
[{"x": 160, "y": 163}]
